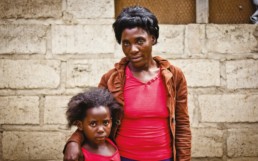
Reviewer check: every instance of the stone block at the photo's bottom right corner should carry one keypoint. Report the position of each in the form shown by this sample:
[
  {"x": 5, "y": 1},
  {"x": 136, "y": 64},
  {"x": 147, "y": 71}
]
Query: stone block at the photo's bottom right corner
[{"x": 242, "y": 143}]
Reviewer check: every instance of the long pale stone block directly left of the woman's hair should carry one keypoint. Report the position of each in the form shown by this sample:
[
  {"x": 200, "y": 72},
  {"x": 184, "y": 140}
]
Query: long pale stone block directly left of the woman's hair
[{"x": 81, "y": 39}]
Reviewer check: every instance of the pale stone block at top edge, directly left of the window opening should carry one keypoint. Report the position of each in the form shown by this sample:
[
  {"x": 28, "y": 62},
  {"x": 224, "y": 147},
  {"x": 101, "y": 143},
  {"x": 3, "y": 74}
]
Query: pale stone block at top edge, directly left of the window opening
[{"x": 91, "y": 9}]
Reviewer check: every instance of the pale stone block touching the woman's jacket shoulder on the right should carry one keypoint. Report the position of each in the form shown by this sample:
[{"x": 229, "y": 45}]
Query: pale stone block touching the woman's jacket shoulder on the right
[{"x": 200, "y": 73}]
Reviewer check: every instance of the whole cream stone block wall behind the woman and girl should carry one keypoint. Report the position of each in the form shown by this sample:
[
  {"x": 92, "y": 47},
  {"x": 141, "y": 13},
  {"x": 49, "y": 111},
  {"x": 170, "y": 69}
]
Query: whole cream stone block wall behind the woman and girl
[{"x": 52, "y": 49}]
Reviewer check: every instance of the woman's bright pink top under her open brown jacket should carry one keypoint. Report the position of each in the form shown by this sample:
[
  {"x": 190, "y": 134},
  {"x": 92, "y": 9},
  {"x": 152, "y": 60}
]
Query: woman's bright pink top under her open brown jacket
[{"x": 144, "y": 132}]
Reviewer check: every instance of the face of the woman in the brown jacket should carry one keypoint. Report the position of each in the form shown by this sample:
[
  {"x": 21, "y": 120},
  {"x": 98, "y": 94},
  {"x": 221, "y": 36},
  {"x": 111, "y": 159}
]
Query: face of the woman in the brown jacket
[{"x": 137, "y": 46}]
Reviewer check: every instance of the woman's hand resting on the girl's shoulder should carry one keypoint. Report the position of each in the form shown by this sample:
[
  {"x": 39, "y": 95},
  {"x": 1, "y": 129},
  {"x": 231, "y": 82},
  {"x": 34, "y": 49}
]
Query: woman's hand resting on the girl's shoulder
[{"x": 72, "y": 152}]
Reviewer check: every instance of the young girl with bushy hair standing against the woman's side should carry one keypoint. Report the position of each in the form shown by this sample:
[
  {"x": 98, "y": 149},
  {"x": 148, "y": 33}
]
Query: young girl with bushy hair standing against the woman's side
[{"x": 93, "y": 113}]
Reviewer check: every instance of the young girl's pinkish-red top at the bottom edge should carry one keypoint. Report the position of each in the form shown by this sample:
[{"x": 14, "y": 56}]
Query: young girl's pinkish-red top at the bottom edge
[{"x": 88, "y": 156}]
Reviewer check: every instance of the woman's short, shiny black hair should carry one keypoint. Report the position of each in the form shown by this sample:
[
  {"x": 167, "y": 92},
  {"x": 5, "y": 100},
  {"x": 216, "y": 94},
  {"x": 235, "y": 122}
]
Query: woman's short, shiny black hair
[{"x": 136, "y": 16}]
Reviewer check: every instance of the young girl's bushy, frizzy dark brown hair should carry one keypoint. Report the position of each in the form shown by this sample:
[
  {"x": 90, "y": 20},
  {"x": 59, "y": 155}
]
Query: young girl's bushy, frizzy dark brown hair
[{"x": 93, "y": 97}]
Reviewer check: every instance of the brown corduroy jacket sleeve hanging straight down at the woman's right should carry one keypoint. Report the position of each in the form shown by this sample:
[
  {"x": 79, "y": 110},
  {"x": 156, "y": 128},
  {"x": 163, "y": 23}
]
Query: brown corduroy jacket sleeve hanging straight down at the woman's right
[{"x": 183, "y": 132}]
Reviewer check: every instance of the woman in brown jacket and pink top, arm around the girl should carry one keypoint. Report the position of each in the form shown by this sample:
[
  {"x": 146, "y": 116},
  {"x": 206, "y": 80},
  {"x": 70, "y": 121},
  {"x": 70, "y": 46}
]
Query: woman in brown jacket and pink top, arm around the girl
[{"x": 153, "y": 93}]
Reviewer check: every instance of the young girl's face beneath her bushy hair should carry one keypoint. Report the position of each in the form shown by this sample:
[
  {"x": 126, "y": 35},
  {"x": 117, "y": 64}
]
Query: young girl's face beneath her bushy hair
[{"x": 96, "y": 125}]
